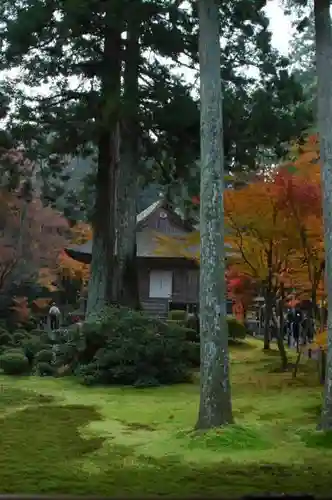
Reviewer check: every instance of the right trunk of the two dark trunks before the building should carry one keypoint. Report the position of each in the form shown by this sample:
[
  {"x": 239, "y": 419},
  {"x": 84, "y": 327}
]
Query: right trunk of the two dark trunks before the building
[{"x": 128, "y": 179}]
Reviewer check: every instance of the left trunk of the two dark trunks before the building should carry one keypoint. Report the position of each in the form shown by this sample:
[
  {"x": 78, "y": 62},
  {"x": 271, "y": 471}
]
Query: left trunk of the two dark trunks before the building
[{"x": 102, "y": 285}]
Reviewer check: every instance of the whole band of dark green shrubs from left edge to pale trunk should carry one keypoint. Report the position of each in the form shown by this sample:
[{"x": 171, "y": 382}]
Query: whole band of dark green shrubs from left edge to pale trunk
[{"x": 119, "y": 346}]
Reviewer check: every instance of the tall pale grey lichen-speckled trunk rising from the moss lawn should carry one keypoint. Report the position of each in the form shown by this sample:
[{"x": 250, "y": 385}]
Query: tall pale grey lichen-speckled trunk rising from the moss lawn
[{"x": 215, "y": 394}]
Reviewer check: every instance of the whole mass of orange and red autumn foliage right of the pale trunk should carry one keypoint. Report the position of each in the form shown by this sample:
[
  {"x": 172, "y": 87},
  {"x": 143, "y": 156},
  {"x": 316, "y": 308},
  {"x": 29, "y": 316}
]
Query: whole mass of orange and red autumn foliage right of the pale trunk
[{"x": 276, "y": 225}]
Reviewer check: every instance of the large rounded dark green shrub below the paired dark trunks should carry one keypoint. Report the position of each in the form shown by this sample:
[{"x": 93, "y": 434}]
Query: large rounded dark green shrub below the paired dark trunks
[{"x": 127, "y": 347}]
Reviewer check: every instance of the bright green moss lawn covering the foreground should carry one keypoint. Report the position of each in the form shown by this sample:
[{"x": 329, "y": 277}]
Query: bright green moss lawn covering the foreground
[{"x": 59, "y": 437}]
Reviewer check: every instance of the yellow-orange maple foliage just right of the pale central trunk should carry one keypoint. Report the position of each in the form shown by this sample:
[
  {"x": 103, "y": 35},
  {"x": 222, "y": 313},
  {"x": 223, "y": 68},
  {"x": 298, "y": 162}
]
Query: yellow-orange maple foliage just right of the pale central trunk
[{"x": 259, "y": 231}]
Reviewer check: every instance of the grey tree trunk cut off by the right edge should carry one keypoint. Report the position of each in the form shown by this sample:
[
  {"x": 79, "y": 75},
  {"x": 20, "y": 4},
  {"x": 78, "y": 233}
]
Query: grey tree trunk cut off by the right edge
[{"x": 324, "y": 74}]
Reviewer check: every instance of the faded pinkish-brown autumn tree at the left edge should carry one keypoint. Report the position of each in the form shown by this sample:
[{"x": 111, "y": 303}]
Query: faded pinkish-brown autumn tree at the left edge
[{"x": 31, "y": 237}]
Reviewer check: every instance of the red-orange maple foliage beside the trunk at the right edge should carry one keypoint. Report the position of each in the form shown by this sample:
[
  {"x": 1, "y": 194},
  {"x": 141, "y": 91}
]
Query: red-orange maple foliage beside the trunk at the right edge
[{"x": 300, "y": 198}]
